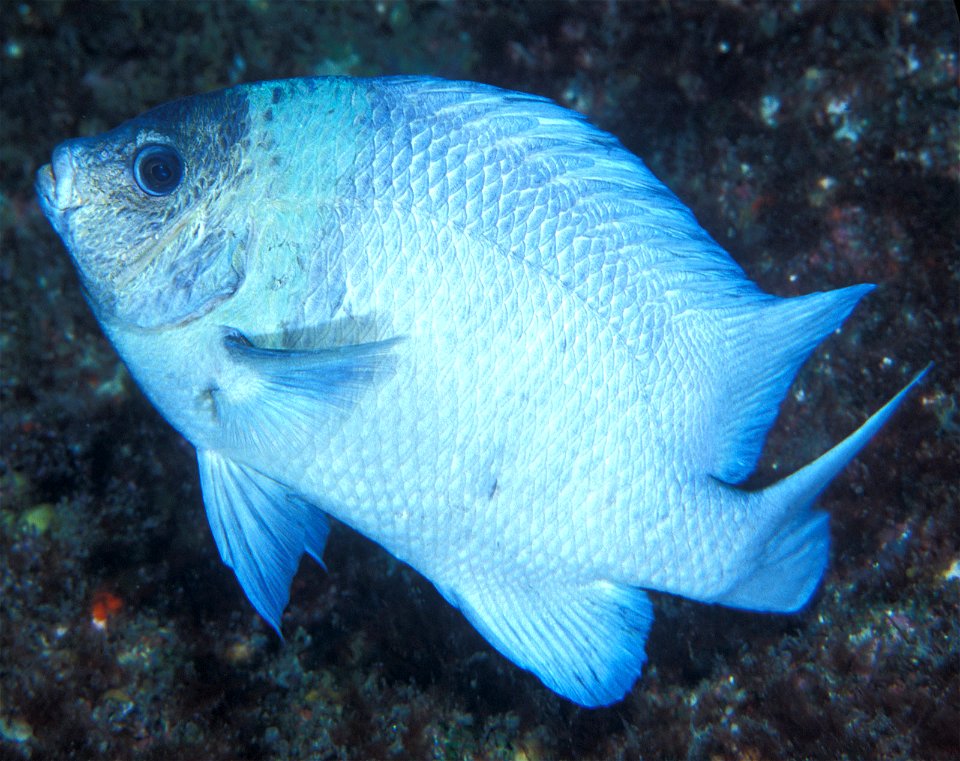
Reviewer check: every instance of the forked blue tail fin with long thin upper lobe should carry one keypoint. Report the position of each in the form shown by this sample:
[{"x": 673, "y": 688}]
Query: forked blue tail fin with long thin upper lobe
[{"x": 791, "y": 553}]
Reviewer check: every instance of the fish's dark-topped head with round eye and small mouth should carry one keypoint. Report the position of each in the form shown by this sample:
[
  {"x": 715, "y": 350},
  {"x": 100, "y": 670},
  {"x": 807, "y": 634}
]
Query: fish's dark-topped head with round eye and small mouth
[{"x": 145, "y": 210}]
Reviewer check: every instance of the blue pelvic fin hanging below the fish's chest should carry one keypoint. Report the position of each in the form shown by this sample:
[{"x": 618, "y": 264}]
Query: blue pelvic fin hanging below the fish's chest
[{"x": 261, "y": 530}]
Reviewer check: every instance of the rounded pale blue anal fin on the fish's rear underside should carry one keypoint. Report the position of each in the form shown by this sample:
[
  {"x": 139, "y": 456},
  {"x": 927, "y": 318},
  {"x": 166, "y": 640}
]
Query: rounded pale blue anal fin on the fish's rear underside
[{"x": 585, "y": 642}]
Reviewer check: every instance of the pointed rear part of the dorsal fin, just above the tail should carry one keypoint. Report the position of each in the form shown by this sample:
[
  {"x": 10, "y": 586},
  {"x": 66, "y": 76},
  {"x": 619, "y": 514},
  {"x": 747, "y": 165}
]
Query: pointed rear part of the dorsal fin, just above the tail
[{"x": 765, "y": 343}]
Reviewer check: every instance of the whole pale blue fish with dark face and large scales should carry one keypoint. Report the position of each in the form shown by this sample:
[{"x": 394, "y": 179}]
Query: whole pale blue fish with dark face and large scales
[{"x": 471, "y": 326}]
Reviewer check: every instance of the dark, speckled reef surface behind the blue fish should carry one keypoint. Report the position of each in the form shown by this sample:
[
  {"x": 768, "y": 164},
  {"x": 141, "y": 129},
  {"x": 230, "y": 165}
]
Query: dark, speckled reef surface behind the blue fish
[{"x": 818, "y": 141}]
